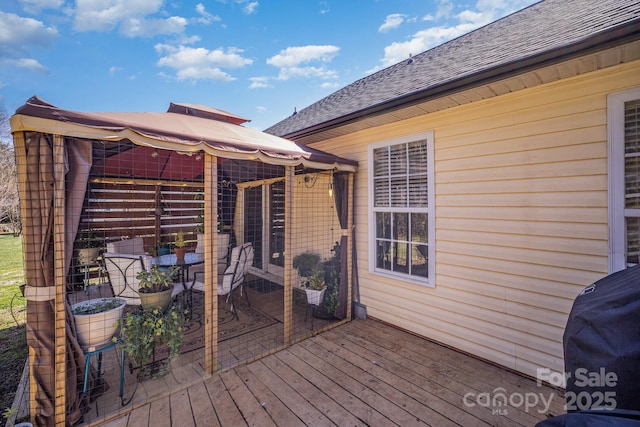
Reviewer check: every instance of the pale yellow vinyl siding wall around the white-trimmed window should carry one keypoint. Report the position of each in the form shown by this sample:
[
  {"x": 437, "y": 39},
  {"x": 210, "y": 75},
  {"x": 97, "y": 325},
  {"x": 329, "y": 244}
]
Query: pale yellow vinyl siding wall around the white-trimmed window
[{"x": 521, "y": 218}]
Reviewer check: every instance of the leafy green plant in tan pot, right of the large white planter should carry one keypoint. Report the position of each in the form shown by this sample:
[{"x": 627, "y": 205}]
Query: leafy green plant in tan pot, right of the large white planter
[{"x": 155, "y": 287}]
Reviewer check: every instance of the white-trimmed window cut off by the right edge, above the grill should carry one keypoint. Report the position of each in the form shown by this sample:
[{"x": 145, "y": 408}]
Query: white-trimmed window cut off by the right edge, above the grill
[{"x": 624, "y": 178}]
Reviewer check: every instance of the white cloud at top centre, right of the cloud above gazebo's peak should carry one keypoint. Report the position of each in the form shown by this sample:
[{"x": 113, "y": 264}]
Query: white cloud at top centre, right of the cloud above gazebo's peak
[{"x": 291, "y": 59}]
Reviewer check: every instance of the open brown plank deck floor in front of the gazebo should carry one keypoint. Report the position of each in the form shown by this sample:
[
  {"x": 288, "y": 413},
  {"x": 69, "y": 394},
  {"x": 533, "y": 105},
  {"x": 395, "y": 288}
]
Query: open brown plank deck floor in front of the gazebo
[{"x": 361, "y": 373}]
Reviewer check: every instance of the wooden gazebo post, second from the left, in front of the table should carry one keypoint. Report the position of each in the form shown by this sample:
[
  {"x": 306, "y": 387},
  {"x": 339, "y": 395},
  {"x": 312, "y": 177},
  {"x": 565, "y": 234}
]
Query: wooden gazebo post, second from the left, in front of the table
[{"x": 210, "y": 263}]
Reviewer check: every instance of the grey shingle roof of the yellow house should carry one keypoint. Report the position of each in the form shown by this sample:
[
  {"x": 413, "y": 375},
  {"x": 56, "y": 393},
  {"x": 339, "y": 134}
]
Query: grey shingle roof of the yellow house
[{"x": 535, "y": 36}]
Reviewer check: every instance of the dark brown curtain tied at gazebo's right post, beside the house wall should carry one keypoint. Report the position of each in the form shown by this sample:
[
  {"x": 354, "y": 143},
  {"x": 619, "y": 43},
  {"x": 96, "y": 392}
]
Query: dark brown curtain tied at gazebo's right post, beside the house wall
[{"x": 341, "y": 195}]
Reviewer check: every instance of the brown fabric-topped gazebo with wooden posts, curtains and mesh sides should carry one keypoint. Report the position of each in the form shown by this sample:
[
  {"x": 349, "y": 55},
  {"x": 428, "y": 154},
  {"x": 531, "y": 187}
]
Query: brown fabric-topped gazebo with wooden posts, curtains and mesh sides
[{"x": 74, "y": 170}]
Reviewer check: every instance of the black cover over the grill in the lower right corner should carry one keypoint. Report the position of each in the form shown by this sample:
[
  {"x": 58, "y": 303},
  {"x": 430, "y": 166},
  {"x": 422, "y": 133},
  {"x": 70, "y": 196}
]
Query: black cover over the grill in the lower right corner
[{"x": 603, "y": 336}]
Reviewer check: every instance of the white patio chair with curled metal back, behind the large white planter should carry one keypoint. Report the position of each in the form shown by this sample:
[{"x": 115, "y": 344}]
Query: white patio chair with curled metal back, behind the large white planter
[{"x": 123, "y": 269}]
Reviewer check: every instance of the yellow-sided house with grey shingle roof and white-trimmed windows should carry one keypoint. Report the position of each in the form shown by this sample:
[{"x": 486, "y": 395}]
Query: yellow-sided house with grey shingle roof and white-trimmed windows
[{"x": 498, "y": 177}]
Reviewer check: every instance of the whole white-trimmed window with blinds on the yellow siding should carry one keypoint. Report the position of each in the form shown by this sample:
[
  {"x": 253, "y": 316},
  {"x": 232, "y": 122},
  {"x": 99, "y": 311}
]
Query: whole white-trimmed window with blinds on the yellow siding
[{"x": 401, "y": 209}]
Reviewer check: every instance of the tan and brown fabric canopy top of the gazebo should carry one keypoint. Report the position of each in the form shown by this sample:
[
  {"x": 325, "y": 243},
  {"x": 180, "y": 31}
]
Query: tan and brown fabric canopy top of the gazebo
[{"x": 185, "y": 128}]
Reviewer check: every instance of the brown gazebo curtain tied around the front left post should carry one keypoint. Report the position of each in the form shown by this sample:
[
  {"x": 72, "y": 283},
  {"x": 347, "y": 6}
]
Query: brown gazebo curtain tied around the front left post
[{"x": 38, "y": 198}]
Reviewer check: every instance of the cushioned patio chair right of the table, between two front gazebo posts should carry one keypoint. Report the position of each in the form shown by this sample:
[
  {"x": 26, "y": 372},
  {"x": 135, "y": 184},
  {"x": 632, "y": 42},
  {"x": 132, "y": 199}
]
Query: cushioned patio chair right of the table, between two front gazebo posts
[{"x": 233, "y": 276}]
